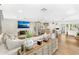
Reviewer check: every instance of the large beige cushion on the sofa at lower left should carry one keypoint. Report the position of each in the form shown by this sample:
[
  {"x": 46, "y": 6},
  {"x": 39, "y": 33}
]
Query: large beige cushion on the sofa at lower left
[{"x": 12, "y": 44}]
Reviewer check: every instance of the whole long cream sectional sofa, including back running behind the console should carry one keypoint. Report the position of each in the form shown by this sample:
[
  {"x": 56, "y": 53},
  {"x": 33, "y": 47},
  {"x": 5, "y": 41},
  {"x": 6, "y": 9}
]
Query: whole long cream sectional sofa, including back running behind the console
[{"x": 11, "y": 46}]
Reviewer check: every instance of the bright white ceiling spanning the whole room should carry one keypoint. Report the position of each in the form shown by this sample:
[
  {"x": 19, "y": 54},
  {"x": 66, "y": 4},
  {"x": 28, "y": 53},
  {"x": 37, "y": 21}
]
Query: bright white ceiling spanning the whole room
[{"x": 54, "y": 12}]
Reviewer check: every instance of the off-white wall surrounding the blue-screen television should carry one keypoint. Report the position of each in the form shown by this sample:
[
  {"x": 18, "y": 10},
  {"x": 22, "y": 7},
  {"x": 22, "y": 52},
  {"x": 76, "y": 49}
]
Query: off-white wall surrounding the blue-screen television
[{"x": 10, "y": 26}]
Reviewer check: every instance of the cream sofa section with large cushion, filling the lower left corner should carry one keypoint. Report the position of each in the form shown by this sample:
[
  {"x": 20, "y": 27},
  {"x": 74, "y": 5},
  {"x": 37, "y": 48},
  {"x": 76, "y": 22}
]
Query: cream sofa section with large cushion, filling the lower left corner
[{"x": 10, "y": 47}]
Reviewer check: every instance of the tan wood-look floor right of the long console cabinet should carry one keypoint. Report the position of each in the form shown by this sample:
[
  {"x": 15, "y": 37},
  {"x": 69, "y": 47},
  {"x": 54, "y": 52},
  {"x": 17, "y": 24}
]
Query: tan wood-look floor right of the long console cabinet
[{"x": 68, "y": 46}]
